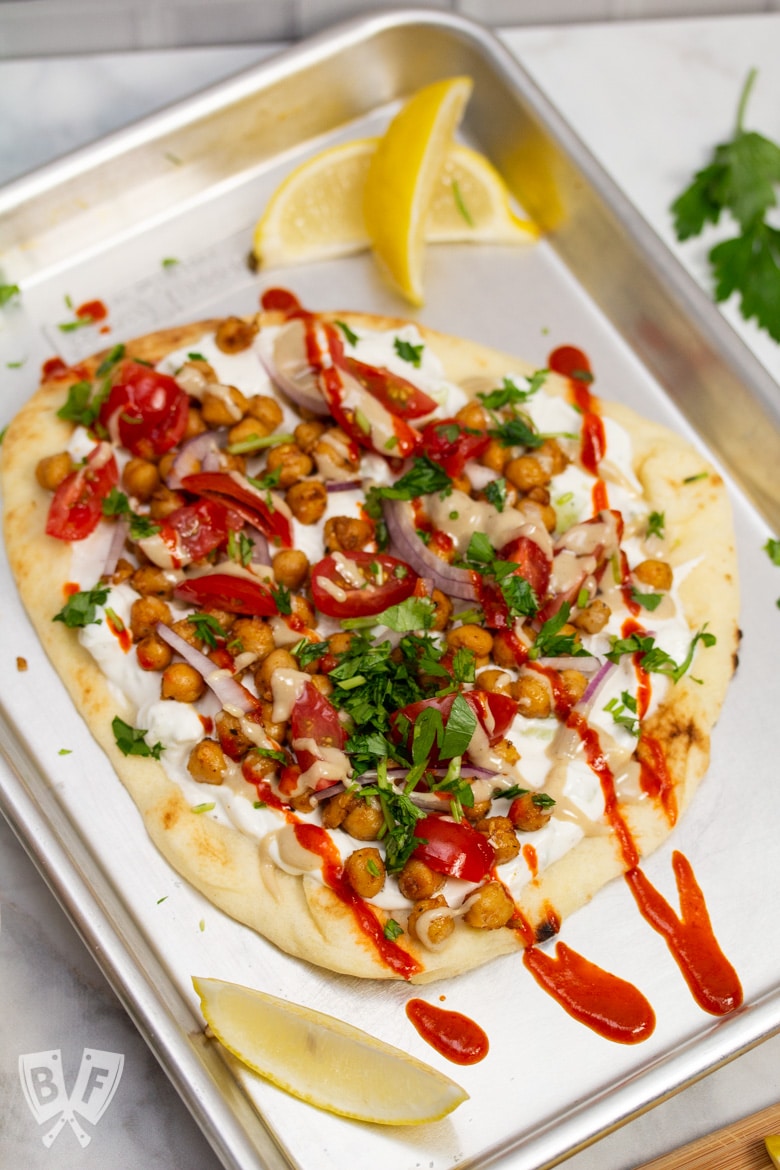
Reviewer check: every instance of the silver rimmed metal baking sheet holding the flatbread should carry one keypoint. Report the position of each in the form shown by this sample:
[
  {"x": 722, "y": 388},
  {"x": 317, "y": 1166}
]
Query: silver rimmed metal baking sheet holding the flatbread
[{"x": 189, "y": 184}]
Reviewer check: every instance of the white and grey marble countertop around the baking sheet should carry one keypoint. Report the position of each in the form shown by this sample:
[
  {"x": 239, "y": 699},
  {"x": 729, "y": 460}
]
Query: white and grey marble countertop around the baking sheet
[{"x": 651, "y": 100}]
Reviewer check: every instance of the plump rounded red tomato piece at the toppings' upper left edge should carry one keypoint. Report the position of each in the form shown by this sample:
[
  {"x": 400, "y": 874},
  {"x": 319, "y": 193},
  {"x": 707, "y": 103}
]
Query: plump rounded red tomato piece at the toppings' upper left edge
[{"x": 147, "y": 410}]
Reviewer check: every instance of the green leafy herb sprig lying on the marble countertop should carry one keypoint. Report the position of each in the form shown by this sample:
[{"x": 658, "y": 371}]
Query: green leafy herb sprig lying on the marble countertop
[{"x": 741, "y": 182}]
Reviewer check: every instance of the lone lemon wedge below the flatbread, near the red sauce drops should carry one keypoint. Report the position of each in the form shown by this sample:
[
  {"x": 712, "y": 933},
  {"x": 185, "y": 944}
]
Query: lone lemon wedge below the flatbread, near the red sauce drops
[{"x": 325, "y": 1062}]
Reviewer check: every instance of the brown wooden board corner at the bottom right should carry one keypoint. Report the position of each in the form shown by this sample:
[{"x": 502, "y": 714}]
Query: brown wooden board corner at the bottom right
[{"x": 737, "y": 1147}]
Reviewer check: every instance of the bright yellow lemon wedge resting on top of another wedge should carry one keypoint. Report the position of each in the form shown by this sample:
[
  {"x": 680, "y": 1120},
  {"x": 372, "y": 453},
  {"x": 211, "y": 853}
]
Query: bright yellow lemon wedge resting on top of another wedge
[{"x": 403, "y": 177}]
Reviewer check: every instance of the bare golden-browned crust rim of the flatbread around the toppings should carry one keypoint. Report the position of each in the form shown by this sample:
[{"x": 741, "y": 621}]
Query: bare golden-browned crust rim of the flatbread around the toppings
[{"x": 237, "y": 871}]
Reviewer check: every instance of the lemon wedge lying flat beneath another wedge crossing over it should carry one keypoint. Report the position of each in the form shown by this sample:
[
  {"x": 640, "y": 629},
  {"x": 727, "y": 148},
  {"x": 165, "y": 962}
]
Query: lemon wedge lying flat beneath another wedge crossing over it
[{"x": 316, "y": 214}]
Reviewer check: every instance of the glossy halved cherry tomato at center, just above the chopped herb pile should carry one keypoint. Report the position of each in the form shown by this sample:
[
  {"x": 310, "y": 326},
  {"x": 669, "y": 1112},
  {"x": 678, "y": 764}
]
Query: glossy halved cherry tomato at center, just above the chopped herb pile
[{"x": 386, "y": 581}]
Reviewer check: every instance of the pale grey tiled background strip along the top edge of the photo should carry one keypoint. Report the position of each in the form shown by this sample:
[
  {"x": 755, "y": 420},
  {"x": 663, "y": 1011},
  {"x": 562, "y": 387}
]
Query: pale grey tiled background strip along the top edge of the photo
[{"x": 40, "y": 27}]
